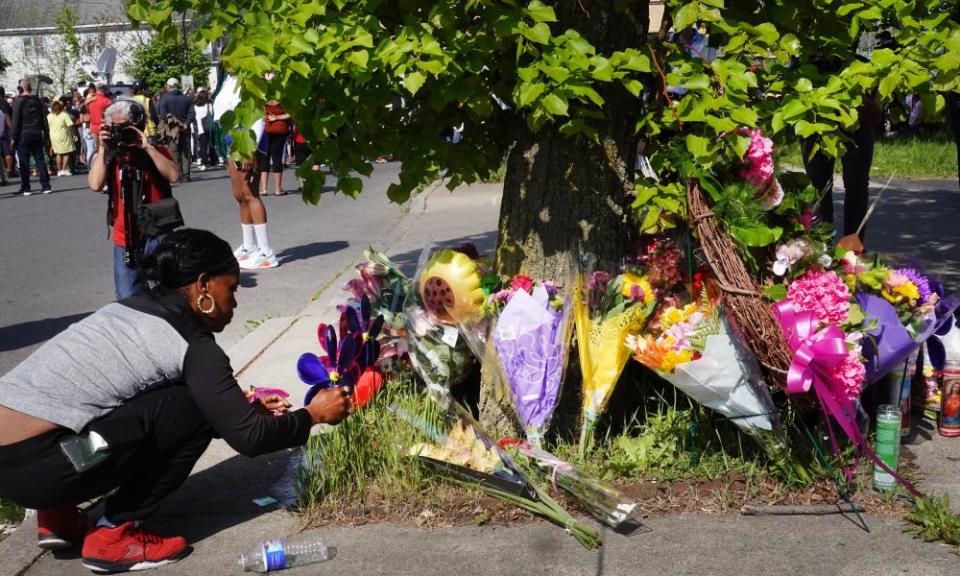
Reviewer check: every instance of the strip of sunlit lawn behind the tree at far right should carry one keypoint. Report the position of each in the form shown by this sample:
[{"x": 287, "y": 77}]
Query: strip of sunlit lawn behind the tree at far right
[{"x": 926, "y": 156}]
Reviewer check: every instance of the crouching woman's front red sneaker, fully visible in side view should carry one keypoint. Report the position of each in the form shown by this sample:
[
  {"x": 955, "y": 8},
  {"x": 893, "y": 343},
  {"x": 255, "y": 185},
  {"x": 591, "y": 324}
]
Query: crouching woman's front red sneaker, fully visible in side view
[{"x": 128, "y": 547}]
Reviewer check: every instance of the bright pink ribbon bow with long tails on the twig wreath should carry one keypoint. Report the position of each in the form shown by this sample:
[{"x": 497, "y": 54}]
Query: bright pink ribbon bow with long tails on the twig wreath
[{"x": 816, "y": 353}]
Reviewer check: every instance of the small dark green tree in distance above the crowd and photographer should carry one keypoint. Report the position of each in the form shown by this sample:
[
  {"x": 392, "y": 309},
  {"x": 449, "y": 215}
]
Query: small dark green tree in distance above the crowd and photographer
[{"x": 166, "y": 56}]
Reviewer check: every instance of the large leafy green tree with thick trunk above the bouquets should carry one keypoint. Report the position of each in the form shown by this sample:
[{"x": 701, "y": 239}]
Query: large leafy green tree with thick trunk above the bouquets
[{"x": 566, "y": 90}]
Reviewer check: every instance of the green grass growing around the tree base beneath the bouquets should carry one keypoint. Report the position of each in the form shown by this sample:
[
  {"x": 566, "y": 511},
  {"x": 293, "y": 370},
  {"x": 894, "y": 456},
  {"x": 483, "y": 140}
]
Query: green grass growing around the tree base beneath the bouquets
[{"x": 364, "y": 461}]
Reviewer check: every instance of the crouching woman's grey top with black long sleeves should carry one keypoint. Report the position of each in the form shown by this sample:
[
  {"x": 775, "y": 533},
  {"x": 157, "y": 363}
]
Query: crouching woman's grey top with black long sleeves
[{"x": 138, "y": 344}]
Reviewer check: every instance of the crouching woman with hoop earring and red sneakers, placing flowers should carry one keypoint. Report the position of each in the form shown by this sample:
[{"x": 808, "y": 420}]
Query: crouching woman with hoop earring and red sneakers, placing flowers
[{"x": 128, "y": 399}]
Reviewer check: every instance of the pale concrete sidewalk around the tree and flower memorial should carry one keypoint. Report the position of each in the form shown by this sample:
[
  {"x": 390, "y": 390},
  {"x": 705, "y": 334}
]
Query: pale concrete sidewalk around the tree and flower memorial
[{"x": 214, "y": 510}]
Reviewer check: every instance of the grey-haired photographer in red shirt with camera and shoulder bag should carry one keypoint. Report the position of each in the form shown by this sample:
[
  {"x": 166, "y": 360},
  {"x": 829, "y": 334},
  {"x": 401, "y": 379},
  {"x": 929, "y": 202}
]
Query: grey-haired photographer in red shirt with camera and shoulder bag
[{"x": 131, "y": 167}]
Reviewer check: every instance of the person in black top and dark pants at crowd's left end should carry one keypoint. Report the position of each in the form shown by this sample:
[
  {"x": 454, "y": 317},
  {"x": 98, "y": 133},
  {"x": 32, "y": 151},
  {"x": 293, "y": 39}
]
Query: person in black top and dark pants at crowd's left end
[{"x": 30, "y": 134}]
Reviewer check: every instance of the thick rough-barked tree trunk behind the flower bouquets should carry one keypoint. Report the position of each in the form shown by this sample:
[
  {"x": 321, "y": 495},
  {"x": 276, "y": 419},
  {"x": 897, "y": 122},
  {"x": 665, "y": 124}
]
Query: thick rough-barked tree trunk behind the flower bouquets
[{"x": 563, "y": 195}]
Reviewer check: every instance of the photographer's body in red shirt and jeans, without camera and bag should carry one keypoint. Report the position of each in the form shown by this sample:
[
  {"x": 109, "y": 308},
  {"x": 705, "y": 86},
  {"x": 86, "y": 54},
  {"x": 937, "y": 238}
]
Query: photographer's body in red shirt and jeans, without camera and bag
[{"x": 159, "y": 171}]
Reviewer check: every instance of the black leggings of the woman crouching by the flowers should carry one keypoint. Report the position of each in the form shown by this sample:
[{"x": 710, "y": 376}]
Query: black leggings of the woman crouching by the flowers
[{"x": 155, "y": 440}]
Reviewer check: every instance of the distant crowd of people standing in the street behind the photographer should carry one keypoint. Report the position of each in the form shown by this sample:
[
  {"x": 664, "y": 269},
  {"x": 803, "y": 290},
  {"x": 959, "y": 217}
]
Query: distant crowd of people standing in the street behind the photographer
[{"x": 44, "y": 137}]
